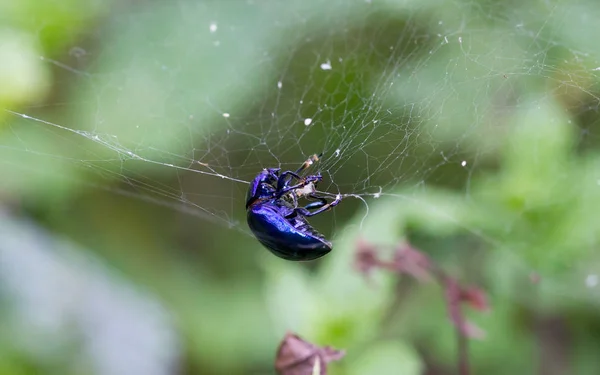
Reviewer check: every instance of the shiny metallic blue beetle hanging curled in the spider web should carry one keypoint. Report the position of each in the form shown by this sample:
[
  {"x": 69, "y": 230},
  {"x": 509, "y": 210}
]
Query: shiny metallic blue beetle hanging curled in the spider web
[{"x": 276, "y": 220}]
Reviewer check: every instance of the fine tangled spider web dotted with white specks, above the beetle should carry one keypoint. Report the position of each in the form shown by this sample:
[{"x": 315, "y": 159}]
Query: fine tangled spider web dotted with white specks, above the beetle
[{"x": 182, "y": 104}]
